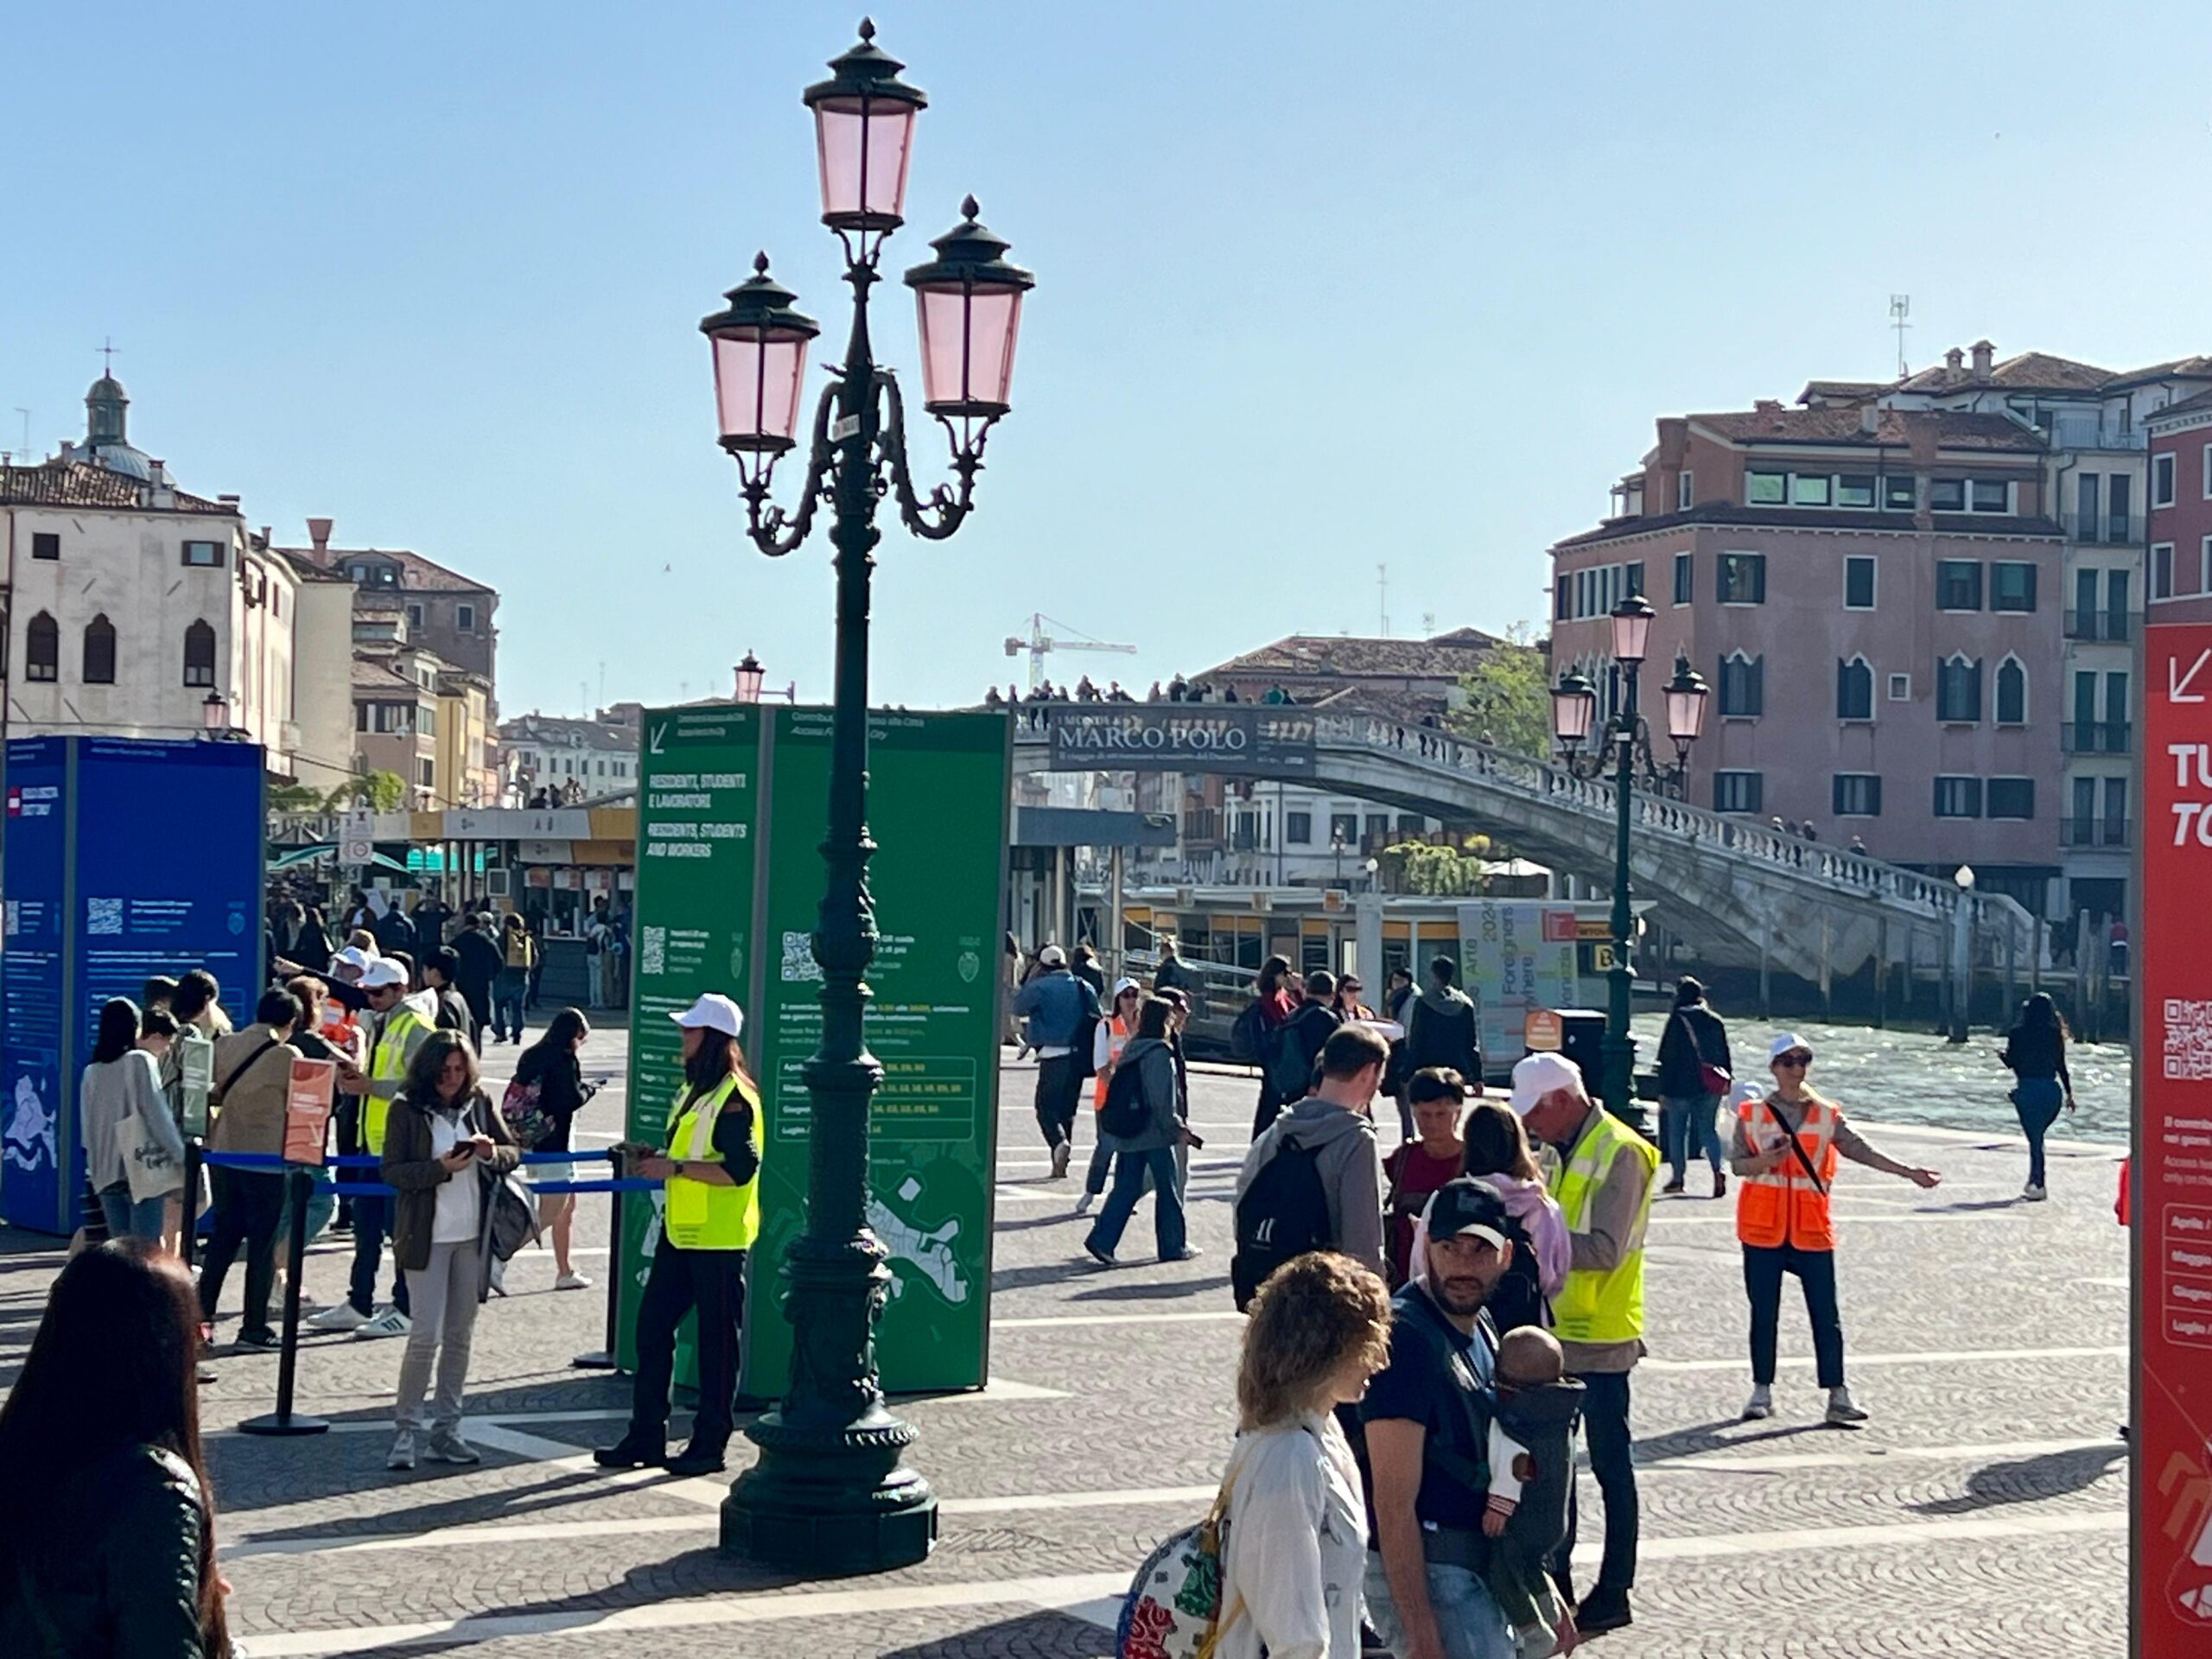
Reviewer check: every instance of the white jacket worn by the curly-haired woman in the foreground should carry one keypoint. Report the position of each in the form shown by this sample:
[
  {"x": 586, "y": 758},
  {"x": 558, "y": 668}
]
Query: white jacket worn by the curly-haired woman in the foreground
[{"x": 1297, "y": 1545}]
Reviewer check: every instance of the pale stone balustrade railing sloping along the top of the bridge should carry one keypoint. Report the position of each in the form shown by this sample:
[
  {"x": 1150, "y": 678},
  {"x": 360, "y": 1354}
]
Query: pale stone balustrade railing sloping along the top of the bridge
[{"x": 1545, "y": 782}]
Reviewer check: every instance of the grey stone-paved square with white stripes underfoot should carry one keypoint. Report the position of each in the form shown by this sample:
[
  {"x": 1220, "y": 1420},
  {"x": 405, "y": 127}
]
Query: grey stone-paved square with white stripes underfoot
[{"x": 1981, "y": 1512}]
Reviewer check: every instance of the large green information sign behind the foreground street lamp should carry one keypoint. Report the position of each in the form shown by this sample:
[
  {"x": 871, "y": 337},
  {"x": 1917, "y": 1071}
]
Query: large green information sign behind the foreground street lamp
[{"x": 733, "y": 808}]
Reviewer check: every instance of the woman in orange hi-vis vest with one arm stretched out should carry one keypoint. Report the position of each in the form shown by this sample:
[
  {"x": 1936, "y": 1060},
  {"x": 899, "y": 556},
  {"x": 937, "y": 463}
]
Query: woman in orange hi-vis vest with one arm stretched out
[{"x": 1784, "y": 1154}]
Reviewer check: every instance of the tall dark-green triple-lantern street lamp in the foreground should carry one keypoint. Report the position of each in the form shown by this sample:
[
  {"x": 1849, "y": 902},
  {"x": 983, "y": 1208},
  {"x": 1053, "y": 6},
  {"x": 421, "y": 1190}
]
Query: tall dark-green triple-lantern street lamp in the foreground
[{"x": 831, "y": 1488}]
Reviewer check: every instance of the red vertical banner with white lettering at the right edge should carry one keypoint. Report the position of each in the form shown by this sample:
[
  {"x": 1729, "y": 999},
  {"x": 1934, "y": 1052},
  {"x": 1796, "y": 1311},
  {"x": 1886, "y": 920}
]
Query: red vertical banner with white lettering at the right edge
[{"x": 2171, "y": 1182}]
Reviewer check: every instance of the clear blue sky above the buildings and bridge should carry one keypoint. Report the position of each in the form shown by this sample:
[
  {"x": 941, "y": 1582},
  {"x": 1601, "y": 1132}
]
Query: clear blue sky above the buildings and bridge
[{"x": 1319, "y": 286}]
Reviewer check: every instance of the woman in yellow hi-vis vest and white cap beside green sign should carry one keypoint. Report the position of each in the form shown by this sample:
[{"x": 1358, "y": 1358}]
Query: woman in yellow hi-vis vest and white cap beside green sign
[{"x": 711, "y": 1169}]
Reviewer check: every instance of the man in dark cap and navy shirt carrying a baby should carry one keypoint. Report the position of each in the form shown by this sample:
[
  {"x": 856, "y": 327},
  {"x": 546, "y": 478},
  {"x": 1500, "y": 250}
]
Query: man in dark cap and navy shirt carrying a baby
[{"x": 1426, "y": 1423}]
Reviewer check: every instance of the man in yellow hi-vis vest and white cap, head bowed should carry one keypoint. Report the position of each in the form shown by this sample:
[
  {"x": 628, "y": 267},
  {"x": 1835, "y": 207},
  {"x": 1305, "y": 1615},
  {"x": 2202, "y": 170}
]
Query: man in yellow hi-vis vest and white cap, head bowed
[{"x": 1603, "y": 1185}]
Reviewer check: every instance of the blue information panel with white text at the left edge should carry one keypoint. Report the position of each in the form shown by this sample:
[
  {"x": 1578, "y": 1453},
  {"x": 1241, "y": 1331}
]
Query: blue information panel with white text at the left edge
[{"x": 125, "y": 859}]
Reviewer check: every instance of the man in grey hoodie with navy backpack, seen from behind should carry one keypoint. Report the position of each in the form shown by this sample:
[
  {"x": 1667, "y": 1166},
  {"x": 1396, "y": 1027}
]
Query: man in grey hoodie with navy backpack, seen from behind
[{"x": 1315, "y": 1180}]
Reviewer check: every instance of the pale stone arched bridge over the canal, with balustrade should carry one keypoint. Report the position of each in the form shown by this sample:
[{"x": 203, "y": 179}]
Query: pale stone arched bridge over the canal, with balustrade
[{"x": 1738, "y": 893}]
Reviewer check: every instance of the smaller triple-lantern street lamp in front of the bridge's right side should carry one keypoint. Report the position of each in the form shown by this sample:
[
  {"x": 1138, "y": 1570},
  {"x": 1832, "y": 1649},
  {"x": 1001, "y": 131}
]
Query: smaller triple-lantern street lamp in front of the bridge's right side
[{"x": 1625, "y": 747}]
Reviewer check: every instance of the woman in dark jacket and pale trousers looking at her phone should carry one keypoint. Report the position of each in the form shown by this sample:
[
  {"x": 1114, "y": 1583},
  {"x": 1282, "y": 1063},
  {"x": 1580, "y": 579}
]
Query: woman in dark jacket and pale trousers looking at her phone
[{"x": 441, "y": 1140}]
